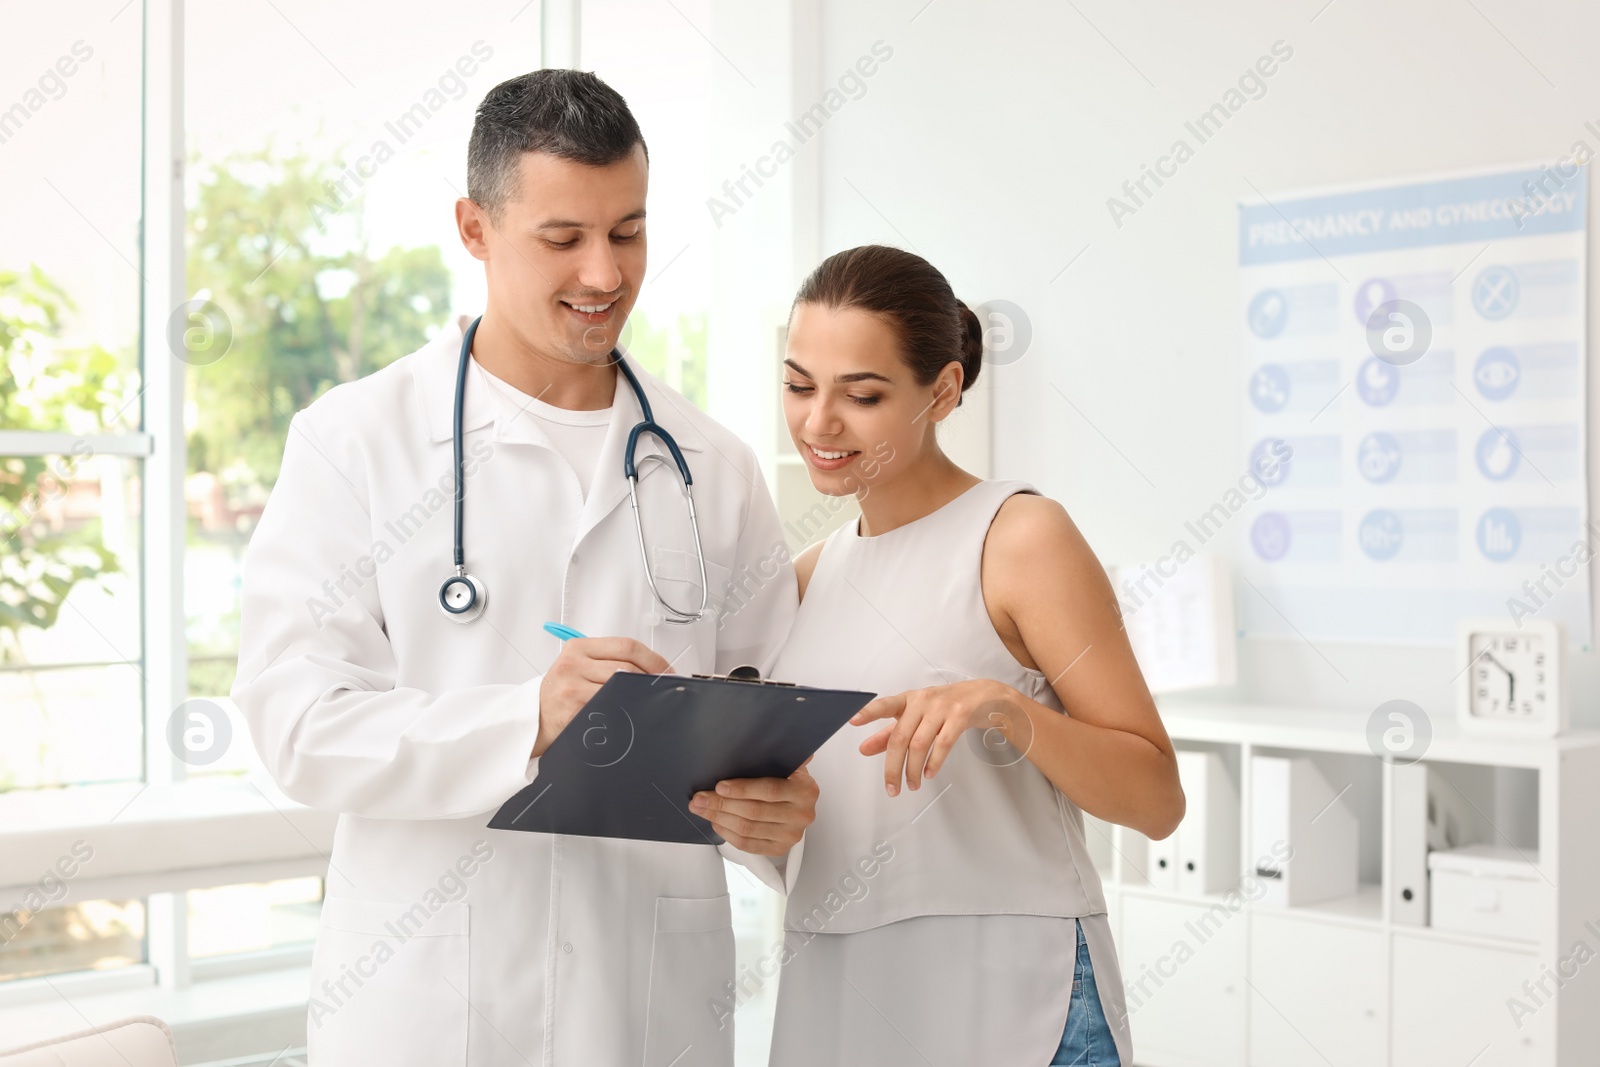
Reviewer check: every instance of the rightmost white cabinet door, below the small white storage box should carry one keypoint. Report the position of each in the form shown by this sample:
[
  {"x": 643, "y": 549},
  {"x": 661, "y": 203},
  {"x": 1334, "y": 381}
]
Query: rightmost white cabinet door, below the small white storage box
[{"x": 1457, "y": 1004}]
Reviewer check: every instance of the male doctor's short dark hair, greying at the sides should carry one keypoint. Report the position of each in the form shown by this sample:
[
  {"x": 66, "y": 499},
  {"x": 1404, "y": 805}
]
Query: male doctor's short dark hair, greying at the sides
[{"x": 569, "y": 114}]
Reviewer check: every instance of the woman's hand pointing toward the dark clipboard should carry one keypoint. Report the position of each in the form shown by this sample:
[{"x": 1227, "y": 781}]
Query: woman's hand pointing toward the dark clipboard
[{"x": 929, "y": 722}]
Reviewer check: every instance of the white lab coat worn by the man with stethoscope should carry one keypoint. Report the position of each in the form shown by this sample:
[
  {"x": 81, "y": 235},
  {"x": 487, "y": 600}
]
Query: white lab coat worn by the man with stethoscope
[{"x": 444, "y": 941}]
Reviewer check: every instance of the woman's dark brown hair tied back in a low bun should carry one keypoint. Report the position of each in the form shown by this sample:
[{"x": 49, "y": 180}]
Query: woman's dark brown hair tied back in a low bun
[{"x": 935, "y": 329}]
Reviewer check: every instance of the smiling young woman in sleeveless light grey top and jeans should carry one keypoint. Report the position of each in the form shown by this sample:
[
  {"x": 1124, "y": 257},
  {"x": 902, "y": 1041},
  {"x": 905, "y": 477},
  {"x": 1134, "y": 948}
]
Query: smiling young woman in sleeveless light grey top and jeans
[{"x": 958, "y": 921}]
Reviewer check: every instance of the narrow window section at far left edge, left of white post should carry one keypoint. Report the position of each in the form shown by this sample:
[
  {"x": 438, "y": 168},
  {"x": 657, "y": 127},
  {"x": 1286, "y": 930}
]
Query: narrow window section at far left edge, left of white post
[{"x": 70, "y": 407}]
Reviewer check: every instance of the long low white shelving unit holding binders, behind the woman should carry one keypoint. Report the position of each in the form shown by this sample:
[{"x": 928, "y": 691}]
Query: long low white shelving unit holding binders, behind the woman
[{"x": 1226, "y": 981}]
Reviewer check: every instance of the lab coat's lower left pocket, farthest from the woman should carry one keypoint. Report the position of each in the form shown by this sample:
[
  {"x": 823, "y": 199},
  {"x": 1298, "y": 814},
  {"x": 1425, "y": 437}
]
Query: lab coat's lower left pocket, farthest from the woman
[{"x": 390, "y": 985}]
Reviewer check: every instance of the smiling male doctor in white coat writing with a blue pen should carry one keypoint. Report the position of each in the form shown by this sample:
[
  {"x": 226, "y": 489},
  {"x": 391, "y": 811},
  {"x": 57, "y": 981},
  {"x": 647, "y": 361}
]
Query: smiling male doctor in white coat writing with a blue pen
[{"x": 444, "y": 941}]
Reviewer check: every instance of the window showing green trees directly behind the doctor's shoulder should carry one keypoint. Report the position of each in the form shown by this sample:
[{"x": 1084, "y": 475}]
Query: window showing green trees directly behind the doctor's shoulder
[{"x": 326, "y": 154}]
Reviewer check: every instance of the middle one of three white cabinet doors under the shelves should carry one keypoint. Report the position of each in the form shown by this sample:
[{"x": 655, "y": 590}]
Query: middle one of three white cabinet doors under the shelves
[{"x": 1319, "y": 994}]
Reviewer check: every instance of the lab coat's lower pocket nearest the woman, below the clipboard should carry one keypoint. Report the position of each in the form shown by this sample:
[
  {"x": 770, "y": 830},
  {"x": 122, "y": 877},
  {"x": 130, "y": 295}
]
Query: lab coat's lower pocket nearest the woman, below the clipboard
[{"x": 689, "y": 1020}]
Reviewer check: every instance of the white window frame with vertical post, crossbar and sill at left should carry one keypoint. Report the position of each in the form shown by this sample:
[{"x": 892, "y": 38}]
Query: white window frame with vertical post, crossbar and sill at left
[{"x": 137, "y": 825}]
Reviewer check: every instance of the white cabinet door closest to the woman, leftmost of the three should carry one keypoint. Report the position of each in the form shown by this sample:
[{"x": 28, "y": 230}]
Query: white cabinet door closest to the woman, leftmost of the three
[{"x": 1185, "y": 980}]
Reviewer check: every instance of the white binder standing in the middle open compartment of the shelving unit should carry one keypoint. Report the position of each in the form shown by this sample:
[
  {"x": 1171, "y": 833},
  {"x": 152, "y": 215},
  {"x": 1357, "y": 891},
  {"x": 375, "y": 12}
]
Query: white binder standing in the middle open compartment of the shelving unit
[{"x": 1294, "y": 805}]
